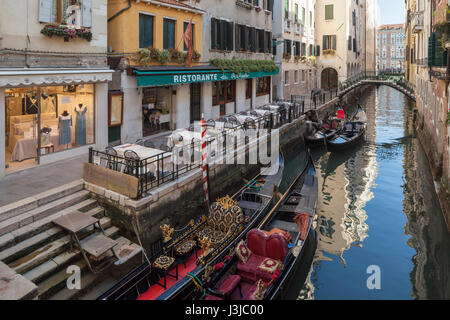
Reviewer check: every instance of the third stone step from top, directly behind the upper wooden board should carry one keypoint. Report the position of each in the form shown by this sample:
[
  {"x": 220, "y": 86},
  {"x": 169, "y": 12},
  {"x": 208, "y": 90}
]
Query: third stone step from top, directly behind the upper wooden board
[{"x": 28, "y": 231}]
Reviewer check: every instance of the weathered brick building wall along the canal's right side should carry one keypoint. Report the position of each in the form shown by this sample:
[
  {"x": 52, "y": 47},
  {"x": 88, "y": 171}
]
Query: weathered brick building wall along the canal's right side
[{"x": 427, "y": 69}]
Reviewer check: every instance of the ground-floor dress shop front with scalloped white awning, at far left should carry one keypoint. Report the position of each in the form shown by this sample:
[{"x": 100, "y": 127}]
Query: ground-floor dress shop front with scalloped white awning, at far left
[{"x": 50, "y": 115}]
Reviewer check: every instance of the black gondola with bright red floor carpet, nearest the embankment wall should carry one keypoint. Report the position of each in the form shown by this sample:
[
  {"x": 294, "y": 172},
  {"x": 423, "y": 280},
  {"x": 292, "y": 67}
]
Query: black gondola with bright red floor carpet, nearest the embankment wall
[{"x": 143, "y": 283}]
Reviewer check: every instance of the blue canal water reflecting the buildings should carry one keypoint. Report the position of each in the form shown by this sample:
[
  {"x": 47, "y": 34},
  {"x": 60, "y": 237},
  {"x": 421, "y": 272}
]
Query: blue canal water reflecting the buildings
[{"x": 378, "y": 215}]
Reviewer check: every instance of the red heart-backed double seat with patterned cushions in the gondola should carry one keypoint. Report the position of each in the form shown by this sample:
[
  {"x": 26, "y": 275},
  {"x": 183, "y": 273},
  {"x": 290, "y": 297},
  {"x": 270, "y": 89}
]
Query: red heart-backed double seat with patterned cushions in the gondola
[{"x": 267, "y": 254}]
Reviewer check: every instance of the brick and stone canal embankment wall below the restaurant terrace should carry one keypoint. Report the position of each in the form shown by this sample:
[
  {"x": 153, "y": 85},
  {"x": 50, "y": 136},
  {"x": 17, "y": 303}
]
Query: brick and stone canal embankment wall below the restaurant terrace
[{"x": 177, "y": 202}]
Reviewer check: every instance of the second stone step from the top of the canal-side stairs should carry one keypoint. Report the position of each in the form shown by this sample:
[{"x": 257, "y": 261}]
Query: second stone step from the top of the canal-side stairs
[{"x": 41, "y": 212}]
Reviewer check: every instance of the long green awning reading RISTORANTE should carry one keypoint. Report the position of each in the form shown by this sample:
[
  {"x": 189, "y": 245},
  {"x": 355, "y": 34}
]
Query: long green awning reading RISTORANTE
[{"x": 150, "y": 78}]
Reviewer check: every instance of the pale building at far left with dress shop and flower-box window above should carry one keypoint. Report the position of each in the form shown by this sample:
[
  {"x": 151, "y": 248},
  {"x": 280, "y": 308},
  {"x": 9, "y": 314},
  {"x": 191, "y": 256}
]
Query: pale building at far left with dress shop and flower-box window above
[{"x": 53, "y": 81}]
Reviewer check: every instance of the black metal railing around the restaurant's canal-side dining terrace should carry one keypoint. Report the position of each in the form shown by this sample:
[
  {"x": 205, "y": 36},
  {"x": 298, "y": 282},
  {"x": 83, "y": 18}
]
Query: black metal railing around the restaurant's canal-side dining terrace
[{"x": 168, "y": 166}]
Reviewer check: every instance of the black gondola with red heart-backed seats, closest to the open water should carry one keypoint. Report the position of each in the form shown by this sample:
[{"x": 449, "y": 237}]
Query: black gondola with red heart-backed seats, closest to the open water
[{"x": 264, "y": 259}]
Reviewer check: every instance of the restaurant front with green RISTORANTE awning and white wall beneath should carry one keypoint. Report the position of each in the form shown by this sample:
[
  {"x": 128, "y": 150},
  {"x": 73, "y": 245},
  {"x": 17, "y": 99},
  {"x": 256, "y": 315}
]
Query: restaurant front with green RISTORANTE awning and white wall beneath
[{"x": 177, "y": 97}]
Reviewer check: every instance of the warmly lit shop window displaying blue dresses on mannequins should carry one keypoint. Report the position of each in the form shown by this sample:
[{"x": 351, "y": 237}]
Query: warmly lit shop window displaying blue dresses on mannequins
[{"x": 66, "y": 116}]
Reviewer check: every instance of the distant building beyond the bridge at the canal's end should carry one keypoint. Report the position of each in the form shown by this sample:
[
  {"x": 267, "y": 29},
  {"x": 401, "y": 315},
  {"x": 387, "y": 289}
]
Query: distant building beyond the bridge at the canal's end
[{"x": 390, "y": 48}]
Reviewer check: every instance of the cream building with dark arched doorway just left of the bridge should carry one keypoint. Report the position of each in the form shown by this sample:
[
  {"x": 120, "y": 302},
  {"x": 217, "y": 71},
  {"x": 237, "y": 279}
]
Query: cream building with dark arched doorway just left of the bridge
[{"x": 339, "y": 38}]
